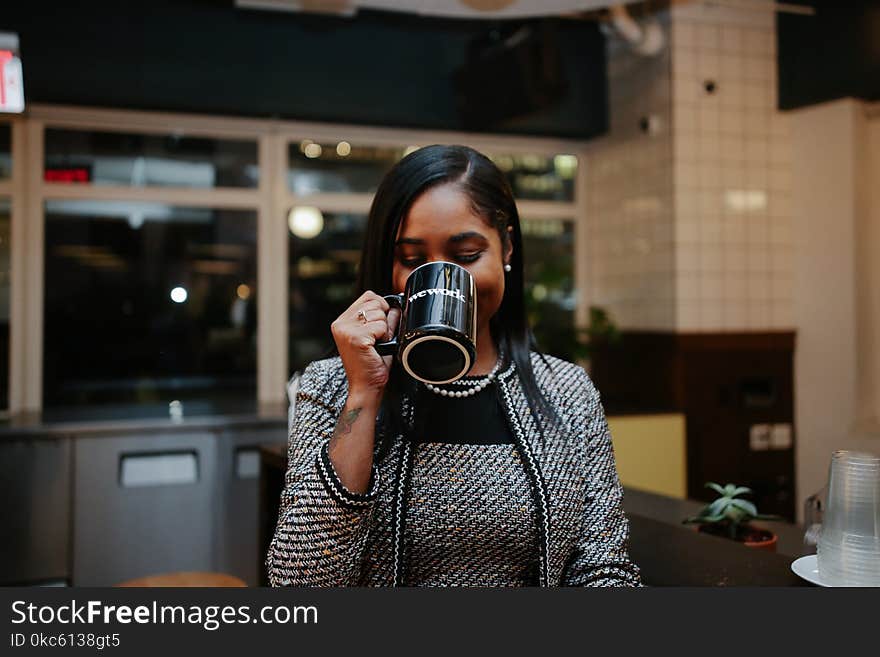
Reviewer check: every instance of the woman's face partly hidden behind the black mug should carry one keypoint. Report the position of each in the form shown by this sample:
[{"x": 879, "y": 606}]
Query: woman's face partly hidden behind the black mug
[{"x": 442, "y": 225}]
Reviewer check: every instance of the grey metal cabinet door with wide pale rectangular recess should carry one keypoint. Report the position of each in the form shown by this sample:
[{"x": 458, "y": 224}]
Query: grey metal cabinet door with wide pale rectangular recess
[{"x": 143, "y": 504}]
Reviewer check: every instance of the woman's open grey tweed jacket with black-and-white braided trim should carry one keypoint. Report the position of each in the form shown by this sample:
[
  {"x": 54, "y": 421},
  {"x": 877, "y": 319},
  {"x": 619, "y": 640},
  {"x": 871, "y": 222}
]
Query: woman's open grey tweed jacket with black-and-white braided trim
[{"x": 329, "y": 536}]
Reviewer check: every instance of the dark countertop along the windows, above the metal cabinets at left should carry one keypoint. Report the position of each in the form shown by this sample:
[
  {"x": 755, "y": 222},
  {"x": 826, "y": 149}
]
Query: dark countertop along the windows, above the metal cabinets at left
[{"x": 119, "y": 419}]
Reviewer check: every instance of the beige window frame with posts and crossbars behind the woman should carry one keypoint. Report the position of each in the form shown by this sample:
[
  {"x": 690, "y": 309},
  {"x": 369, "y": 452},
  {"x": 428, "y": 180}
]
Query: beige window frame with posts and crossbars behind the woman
[{"x": 271, "y": 200}]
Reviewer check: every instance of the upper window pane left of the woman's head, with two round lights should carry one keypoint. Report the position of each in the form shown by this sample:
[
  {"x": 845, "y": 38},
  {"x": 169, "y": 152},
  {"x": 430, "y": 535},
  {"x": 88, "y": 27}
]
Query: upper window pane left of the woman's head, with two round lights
[{"x": 338, "y": 166}]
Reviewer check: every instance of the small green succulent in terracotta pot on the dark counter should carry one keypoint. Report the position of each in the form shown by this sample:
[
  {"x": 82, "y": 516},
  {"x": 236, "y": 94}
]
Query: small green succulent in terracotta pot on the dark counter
[{"x": 730, "y": 516}]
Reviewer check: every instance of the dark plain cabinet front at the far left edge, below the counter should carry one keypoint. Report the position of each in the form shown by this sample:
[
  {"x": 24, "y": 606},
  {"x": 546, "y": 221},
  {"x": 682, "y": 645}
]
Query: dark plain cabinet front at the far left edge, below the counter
[{"x": 35, "y": 474}]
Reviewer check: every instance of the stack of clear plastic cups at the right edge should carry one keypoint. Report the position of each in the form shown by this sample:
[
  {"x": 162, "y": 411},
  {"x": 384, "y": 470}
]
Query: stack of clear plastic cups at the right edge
[{"x": 849, "y": 545}]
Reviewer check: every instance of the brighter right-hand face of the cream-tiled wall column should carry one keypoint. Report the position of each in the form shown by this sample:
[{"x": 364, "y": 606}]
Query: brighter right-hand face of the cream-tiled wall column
[{"x": 731, "y": 172}]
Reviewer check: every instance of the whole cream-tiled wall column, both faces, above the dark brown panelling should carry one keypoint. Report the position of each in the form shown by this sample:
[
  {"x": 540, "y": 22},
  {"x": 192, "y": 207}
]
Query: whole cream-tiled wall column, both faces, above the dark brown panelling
[{"x": 691, "y": 227}]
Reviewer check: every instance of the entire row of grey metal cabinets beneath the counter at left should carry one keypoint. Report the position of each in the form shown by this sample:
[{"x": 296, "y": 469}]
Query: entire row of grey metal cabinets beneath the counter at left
[{"x": 93, "y": 507}]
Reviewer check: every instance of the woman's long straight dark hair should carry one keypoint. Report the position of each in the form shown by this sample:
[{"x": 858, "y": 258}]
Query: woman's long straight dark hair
[{"x": 491, "y": 197}]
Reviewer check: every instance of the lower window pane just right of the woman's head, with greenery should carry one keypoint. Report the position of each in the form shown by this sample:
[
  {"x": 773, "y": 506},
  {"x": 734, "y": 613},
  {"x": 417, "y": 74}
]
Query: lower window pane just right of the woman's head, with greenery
[{"x": 548, "y": 246}]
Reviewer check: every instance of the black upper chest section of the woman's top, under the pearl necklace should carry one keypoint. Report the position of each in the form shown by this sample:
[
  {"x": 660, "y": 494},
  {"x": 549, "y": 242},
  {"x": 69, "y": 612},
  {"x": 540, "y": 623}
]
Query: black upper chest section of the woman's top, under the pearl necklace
[{"x": 475, "y": 420}]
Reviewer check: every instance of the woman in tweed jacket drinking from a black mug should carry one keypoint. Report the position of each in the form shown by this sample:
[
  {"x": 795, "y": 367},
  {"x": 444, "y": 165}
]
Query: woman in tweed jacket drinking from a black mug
[{"x": 388, "y": 483}]
